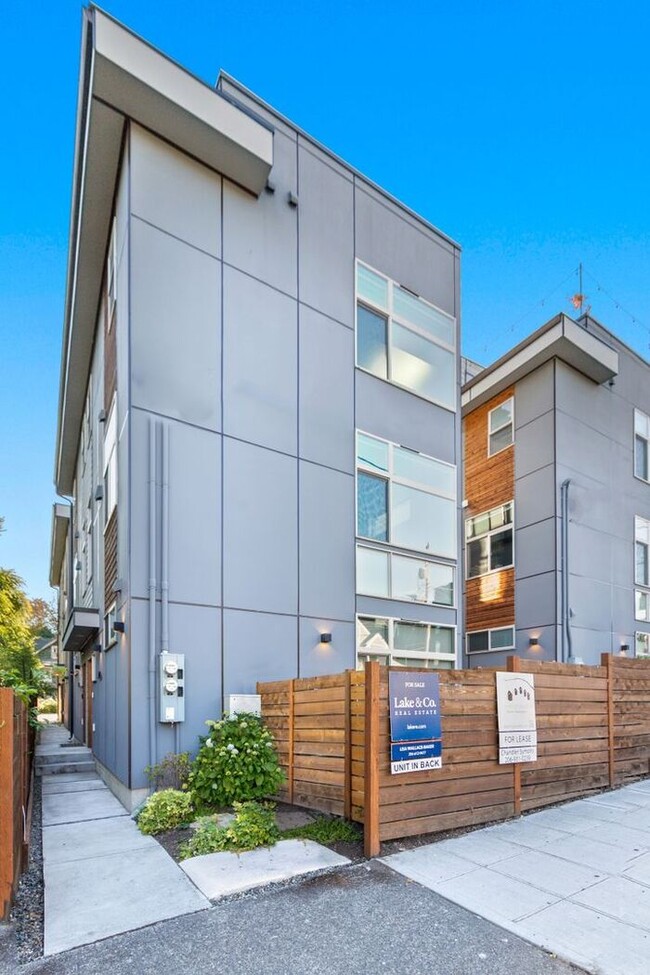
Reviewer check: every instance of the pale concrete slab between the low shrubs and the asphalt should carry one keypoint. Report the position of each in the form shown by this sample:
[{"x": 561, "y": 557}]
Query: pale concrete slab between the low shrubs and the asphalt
[{"x": 219, "y": 874}]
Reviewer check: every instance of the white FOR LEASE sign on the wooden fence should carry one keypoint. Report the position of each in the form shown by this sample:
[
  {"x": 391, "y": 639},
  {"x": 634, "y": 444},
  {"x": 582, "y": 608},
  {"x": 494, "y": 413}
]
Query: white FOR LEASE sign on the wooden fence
[{"x": 517, "y": 718}]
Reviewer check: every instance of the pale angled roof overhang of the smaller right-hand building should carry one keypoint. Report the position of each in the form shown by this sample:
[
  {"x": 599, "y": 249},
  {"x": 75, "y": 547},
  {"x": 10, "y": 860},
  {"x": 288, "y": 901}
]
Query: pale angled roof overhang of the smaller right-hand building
[{"x": 561, "y": 338}]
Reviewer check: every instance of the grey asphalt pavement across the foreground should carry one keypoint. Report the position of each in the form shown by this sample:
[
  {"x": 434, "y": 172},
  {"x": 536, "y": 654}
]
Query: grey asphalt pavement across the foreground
[{"x": 363, "y": 919}]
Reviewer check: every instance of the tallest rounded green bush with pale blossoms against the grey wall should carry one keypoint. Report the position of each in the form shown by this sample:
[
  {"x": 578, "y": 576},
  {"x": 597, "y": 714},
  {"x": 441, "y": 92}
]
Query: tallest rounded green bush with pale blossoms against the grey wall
[{"x": 237, "y": 761}]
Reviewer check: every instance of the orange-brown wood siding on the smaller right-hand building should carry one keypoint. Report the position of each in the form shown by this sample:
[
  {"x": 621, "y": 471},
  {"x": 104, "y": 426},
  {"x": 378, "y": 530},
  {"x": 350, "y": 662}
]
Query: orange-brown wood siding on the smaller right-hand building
[{"x": 489, "y": 481}]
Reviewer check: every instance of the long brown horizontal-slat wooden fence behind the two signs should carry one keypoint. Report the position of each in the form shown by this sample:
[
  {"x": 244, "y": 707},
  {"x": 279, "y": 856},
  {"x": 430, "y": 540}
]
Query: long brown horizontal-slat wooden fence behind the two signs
[{"x": 593, "y": 727}]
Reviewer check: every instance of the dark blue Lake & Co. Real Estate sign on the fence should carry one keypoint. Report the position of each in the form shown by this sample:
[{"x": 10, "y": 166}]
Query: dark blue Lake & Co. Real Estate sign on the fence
[{"x": 415, "y": 727}]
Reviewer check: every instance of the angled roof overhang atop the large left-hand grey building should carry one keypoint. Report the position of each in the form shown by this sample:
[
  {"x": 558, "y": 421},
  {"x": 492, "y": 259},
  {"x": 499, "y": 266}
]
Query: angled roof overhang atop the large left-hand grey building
[{"x": 122, "y": 77}]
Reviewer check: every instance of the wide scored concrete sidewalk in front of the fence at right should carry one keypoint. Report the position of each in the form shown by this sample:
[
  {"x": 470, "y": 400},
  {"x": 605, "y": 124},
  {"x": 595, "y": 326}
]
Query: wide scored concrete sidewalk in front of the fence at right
[{"x": 574, "y": 880}]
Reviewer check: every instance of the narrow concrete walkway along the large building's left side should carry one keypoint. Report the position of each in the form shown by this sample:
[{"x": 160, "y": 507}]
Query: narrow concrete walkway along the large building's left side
[{"x": 102, "y": 876}]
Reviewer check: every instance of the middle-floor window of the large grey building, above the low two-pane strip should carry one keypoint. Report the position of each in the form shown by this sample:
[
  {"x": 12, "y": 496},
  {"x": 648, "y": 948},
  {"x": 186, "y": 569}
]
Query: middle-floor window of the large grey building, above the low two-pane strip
[{"x": 405, "y": 498}]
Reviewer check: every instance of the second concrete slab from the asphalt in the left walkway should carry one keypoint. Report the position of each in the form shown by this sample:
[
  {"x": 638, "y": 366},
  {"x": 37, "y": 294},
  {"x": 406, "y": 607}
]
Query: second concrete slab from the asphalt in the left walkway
[{"x": 93, "y": 838}]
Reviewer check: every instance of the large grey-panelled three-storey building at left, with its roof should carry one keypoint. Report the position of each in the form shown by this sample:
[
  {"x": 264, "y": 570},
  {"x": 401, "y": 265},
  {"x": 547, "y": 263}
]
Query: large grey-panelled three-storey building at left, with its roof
[{"x": 260, "y": 348}]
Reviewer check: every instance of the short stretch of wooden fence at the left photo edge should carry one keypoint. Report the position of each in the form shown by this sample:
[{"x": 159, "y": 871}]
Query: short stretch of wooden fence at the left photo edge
[{"x": 16, "y": 747}]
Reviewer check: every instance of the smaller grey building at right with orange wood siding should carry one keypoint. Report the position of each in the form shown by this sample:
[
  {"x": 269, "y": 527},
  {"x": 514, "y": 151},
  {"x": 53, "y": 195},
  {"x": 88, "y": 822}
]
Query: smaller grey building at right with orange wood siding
[{"x": 561, "y": 422}]
